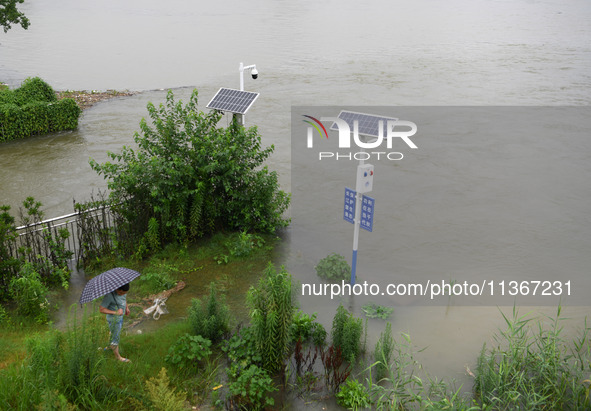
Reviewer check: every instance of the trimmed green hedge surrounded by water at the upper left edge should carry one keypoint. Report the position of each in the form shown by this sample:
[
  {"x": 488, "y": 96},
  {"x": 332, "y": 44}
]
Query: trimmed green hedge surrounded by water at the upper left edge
[{"x": 33, "y": 109}]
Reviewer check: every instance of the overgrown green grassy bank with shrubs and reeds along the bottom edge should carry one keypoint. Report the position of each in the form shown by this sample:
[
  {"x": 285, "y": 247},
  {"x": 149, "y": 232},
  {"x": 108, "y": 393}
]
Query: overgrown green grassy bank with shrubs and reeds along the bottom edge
[{"x": 532, "y": 364}]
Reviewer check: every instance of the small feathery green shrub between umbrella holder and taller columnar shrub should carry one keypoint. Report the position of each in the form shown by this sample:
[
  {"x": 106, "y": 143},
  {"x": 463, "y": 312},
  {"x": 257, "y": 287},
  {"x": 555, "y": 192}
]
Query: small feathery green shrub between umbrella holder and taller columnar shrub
[{"x": 210, "y": 319}]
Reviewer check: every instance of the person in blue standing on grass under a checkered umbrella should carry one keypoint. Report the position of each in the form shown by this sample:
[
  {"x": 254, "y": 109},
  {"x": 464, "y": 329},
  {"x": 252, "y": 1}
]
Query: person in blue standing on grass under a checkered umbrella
[{"x": 113, "y": 285}]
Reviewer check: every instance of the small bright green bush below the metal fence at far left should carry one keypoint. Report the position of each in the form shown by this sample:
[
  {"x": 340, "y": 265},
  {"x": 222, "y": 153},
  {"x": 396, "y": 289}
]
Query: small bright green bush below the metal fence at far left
[{"x": 30, "y": 294}]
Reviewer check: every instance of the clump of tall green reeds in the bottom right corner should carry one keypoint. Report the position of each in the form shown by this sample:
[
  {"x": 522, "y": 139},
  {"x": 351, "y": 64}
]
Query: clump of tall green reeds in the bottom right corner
[{"x": 533, "y": 368}]
